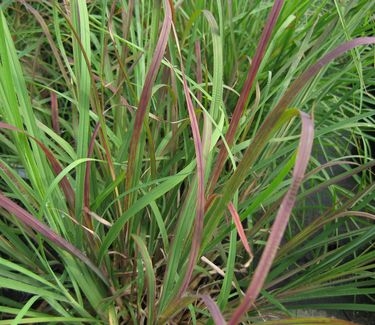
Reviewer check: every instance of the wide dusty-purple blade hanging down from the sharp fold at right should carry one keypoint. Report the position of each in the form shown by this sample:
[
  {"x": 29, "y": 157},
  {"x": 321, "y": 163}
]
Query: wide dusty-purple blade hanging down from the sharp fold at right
[{"x": 281, "y": 221}]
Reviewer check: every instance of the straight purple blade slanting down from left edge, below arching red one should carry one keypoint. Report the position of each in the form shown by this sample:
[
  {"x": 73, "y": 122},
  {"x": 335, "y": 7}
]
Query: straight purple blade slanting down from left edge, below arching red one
[{"x": 32, "y": 222}]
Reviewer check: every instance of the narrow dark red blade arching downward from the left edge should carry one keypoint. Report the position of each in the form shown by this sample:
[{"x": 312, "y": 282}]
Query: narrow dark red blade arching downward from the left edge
[{"x": 65, "y": 185}]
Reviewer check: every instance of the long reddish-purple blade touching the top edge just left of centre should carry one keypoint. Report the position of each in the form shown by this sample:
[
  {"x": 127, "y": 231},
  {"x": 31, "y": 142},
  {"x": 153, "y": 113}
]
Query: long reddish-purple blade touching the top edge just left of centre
[{"x": 146, "y": 94}]
